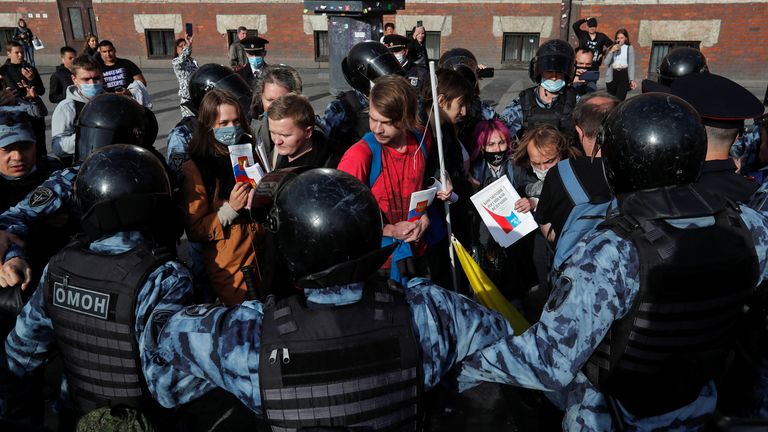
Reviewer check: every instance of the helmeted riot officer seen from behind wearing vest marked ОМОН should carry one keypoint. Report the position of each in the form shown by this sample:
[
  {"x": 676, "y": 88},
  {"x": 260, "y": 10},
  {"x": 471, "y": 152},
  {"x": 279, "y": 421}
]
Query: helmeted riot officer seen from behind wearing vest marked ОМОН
[{"x": 98, "y": 291}]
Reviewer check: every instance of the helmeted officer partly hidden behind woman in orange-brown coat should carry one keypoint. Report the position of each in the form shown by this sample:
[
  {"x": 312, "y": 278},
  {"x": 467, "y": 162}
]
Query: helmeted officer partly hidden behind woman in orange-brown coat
[{"x": 204, "y": 79}]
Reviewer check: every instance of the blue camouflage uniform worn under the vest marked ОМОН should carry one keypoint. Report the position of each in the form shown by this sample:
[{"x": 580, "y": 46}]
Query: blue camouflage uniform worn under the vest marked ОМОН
[{"x": 32, "y": 339}]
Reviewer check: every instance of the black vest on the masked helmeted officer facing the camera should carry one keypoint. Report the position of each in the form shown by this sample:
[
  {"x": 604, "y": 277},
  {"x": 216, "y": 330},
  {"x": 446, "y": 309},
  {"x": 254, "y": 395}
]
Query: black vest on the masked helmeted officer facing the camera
[{"x": 560, "y": 115}]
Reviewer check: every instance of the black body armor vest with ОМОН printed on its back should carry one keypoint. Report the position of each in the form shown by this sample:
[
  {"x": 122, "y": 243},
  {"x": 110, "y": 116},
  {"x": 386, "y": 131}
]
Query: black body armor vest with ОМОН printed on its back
[{"x": 91, "y": 299}]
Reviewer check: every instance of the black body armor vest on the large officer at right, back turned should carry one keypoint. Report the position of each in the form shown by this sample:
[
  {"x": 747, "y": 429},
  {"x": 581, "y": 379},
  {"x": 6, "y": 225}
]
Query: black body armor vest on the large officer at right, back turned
[{"x": 693, "y": 286}]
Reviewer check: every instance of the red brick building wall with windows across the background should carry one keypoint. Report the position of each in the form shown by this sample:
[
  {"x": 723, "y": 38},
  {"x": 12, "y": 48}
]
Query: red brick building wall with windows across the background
[{"x": 741, "y": 51}]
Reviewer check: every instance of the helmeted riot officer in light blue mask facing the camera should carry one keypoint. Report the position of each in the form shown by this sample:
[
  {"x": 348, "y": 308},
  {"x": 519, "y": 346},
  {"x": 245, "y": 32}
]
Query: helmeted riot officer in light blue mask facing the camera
[{"x": 552, "y": 99}]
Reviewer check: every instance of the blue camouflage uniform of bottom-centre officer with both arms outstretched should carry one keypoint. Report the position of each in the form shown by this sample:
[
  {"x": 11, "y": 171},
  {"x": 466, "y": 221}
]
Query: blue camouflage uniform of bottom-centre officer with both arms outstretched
[{"x": 220, "y": 345}]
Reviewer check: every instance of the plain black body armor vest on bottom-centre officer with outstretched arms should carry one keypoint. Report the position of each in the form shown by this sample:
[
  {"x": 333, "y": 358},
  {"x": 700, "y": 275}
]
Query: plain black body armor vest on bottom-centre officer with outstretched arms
[{"x": 355, "y": 365}]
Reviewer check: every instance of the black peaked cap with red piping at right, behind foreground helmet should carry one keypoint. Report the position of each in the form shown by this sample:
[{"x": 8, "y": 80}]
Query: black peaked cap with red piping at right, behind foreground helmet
[{"x": 720, "y": 102}]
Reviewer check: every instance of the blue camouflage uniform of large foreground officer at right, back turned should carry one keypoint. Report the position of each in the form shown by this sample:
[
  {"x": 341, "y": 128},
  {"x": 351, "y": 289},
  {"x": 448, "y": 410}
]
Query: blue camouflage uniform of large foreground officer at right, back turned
[{"x": 604, "y": 273}]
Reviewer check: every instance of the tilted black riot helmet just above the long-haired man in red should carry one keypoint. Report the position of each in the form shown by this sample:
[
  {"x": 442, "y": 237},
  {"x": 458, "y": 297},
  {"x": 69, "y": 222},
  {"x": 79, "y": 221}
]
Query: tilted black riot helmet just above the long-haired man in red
[{"x": 367, "y": 61}]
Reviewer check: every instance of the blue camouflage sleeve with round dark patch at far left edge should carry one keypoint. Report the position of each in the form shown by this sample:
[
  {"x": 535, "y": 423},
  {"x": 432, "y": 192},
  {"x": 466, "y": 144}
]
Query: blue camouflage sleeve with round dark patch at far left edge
[{"x": 51, "y": 196}]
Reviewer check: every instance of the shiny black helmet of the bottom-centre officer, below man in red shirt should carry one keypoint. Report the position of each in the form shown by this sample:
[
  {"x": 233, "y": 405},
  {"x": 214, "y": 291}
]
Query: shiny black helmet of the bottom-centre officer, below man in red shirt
[{"x": 320, "y": 218}]
